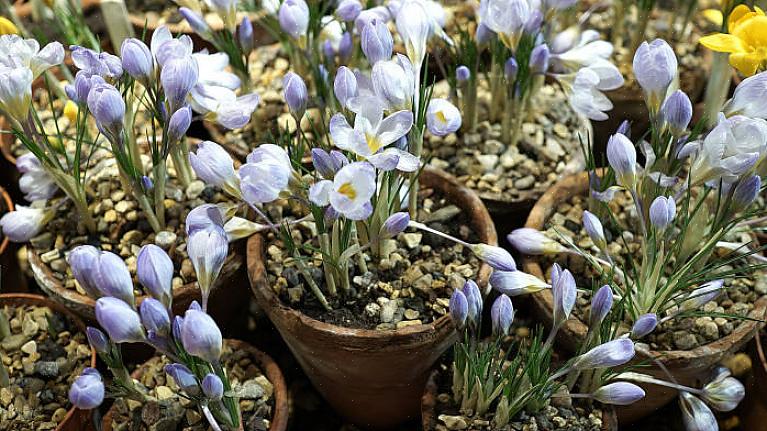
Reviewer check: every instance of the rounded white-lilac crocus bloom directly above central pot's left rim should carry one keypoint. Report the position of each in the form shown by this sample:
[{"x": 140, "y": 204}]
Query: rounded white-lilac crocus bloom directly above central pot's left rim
[{"x": 266, "y": 173}]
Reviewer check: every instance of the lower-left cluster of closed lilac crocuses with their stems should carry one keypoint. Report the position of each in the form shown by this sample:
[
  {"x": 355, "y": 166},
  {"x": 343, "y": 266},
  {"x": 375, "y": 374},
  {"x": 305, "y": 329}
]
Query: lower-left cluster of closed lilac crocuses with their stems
[{"x": 192, "y": 342}]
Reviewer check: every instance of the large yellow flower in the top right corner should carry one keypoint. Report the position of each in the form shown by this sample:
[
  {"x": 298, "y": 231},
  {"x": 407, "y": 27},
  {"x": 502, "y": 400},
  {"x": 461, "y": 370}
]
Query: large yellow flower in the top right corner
[{"x": 746, "y": 41}]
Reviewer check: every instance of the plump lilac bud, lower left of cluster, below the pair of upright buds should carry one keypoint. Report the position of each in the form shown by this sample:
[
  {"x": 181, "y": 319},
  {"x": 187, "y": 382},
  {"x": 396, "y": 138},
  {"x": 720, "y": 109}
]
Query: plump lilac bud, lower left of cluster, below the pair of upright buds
[{"x": 119, "y": 320}]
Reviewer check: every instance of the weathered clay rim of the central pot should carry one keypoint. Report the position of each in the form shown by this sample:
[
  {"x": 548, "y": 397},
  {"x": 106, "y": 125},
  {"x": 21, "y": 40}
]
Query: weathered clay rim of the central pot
[{"x": 413, "y": 334}]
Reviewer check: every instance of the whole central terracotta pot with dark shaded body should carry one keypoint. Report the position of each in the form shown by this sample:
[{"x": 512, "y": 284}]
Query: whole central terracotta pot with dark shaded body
[{"x": 373, "y": 378}]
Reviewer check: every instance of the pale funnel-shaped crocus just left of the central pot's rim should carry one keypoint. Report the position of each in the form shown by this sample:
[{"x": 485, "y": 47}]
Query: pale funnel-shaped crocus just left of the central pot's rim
[{"x": 207, "y": 249}]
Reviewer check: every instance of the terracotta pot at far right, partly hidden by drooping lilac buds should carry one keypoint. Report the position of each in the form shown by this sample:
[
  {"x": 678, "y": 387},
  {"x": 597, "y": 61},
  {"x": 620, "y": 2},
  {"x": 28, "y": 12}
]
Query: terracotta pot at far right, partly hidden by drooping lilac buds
[{"x": 687, "y": 366}]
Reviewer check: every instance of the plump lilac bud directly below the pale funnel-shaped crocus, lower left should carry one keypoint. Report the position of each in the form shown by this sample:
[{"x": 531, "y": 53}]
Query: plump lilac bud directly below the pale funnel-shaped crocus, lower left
[{"x": 201, "y": 337}]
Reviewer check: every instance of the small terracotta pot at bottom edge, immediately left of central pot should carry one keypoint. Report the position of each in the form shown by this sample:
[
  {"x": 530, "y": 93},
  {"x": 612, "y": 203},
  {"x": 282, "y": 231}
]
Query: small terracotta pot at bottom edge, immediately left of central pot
[{"x": 270, "y": 369}]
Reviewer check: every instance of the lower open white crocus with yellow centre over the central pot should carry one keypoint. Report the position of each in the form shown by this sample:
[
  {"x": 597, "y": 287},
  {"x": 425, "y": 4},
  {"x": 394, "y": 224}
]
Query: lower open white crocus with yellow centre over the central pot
[{"x": 349, "y": 192}]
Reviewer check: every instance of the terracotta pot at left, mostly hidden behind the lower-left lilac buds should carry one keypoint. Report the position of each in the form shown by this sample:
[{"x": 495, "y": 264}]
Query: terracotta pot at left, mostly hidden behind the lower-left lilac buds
[{"x": 226, "y": 298}]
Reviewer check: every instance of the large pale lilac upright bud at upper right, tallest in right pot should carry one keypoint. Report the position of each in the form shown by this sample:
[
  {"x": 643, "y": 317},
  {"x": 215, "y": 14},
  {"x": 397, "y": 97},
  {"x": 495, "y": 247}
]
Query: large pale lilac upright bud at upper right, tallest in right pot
[{"x": 655, "y": 67}]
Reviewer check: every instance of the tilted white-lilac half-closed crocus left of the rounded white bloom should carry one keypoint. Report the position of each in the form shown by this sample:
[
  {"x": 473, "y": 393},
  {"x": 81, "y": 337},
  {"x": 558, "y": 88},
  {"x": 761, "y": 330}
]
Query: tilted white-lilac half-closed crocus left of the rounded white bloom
[{"x": 213, "y": 165}]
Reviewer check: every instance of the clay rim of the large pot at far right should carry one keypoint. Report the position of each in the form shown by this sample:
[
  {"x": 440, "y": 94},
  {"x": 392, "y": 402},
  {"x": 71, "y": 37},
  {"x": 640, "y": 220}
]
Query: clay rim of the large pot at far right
[{"x": 574, "y": 327}]
